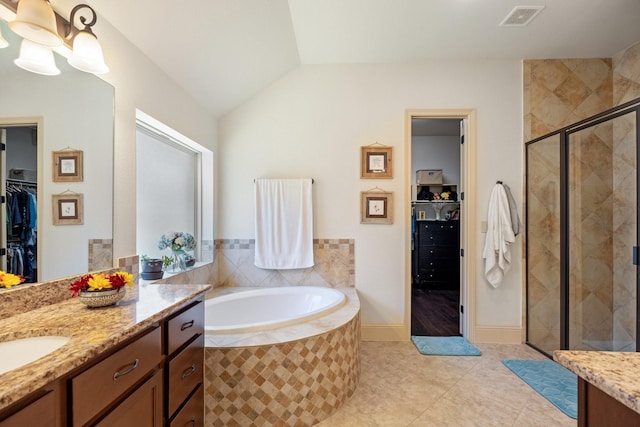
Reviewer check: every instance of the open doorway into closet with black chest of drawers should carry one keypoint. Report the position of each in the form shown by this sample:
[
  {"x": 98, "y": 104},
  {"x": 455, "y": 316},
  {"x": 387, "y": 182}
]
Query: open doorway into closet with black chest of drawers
[{"x": 436, "y": 192}]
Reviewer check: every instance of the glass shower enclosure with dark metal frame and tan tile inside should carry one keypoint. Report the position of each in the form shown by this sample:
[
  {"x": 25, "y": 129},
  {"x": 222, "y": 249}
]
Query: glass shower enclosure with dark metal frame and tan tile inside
[{"x": 582, "y": 234}]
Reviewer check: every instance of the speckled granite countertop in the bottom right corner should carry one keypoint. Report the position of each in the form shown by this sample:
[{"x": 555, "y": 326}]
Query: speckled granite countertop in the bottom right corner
[{"x": 615, "y": 373}]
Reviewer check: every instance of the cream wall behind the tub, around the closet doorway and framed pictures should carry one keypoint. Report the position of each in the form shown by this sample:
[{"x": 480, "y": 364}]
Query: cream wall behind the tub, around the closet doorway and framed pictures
[{"x": 312, "y": 123}]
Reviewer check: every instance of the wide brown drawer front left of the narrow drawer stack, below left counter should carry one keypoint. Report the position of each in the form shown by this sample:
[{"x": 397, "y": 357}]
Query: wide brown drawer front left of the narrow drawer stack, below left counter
[{"x": 95, "y": 389}]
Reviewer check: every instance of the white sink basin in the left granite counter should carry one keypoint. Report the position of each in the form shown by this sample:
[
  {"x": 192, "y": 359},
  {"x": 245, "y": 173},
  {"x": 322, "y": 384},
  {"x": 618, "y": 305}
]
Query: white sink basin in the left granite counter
[{"x": 19, "y": 352}]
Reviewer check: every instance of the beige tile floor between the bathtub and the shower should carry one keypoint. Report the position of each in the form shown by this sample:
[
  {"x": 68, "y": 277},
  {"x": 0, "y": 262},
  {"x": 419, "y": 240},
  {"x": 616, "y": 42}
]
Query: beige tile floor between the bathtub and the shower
[{"x": 399, "y": 387}]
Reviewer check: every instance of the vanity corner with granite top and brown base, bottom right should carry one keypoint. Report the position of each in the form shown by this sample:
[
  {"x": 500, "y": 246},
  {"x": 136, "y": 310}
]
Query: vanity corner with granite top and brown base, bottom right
[{"x": 608, "y": 386}]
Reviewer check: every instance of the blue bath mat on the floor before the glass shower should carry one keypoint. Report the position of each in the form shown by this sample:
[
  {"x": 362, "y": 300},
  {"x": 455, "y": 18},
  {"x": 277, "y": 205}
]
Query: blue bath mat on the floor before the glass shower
[{"x": 554, "y": 382}]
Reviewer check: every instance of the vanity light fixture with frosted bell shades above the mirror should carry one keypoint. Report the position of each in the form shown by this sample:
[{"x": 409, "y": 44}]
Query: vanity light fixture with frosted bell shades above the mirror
[{"x": 38, "y": 23}]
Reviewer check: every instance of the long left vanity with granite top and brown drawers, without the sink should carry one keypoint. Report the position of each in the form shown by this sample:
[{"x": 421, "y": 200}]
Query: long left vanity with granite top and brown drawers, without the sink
[{"x": 137, "y": 363}]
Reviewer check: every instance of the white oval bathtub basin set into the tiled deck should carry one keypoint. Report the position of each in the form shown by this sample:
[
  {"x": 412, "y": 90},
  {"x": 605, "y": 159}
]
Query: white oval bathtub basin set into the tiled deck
[{"x": 269, "y": 308}]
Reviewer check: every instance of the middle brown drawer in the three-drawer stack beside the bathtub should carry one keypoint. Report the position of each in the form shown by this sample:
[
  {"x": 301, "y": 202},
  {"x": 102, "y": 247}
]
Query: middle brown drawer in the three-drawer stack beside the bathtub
[{"x": 185, "y": 373}]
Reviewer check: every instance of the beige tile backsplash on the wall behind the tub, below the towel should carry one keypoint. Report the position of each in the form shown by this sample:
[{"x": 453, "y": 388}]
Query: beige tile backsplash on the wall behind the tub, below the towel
[{"x": 334, "y": 265}]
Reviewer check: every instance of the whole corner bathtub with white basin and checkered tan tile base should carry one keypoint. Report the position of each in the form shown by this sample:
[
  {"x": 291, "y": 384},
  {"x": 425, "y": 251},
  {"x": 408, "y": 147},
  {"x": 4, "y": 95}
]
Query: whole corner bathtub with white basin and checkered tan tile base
[{"x": 288, "y": 370}]
